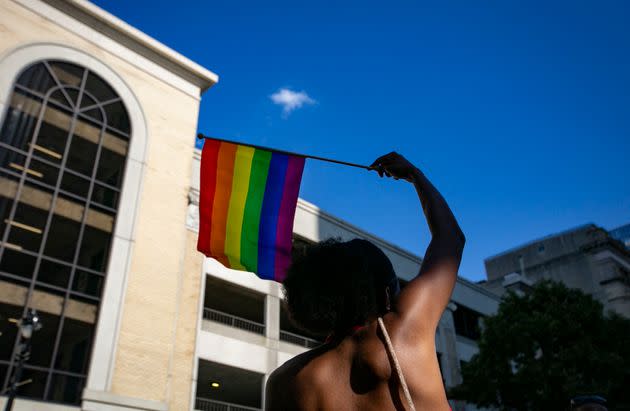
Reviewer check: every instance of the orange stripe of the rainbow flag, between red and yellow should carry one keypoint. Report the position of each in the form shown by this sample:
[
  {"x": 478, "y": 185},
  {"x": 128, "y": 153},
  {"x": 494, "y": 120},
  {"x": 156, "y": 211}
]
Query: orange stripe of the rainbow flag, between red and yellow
[{"x": 225, "y": 173}]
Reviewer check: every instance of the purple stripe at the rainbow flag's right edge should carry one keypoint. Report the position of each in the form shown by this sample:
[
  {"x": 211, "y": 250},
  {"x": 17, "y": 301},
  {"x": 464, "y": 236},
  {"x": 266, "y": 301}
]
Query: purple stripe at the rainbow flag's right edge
[{"x": 284, "y": 231}]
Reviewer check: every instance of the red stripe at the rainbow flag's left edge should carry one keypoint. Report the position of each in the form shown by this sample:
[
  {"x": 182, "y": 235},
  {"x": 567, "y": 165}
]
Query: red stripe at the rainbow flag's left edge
[{"x": 207, "y": 188}]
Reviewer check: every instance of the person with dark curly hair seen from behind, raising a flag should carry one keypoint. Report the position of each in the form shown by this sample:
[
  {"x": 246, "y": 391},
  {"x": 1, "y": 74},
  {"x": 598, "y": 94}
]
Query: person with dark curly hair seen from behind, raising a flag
[{"x": 346, "y": 290}]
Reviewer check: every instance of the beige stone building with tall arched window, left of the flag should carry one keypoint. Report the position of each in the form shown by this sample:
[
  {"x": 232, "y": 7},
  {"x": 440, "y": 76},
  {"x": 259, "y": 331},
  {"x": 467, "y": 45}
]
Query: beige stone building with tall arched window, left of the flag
[{"x": 97, "y": 116}]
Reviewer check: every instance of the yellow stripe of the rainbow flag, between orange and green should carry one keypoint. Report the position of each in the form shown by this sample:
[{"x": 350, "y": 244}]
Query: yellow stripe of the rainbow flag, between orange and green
[{"x": 236, "y": 210}]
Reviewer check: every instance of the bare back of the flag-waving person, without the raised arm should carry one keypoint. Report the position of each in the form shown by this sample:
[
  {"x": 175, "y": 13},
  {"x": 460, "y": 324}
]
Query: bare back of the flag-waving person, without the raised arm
[{"x": 357, "y": 373}]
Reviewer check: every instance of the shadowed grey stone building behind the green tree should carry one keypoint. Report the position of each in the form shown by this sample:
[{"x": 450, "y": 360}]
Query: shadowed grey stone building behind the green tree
[{"x": 585, "y": 257}]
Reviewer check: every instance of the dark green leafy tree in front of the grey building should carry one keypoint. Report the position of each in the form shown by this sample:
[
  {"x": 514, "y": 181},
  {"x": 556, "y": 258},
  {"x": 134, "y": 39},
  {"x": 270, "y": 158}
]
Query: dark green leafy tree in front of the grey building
[{"x": 546, "y": 346}]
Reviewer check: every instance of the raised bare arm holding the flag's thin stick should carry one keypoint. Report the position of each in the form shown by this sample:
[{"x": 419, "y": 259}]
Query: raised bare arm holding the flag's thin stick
[{"x": 422, "y": 301}]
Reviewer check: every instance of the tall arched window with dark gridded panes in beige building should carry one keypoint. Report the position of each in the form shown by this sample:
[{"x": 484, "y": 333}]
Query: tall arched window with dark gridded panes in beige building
[{"x": 63, "y": 146}]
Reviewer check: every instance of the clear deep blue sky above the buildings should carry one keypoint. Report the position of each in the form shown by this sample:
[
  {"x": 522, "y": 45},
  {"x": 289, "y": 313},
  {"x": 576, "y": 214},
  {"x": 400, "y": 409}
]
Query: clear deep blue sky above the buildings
[{"x": 518, "y": 111}]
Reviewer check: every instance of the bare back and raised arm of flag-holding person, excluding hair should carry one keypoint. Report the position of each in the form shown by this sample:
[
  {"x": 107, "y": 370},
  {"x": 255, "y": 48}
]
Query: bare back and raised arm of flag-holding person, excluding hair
[{"x": 355, "y": 372}]
